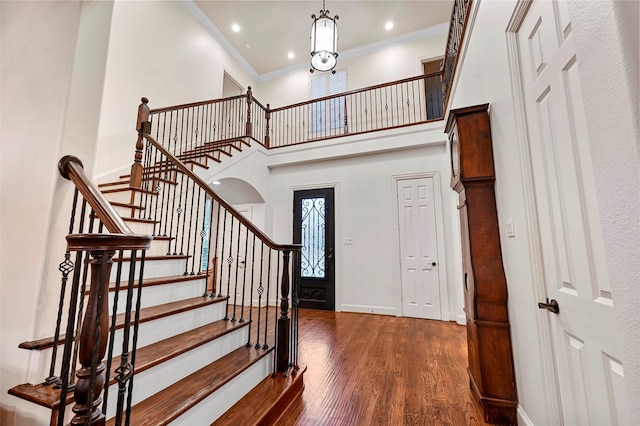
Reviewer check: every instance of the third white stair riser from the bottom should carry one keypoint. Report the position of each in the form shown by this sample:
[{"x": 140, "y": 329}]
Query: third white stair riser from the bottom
[{"x": 149, "y": 332}]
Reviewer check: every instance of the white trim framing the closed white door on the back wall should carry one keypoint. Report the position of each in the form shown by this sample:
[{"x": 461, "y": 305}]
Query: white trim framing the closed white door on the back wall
[{"x": 445, "y": 308}]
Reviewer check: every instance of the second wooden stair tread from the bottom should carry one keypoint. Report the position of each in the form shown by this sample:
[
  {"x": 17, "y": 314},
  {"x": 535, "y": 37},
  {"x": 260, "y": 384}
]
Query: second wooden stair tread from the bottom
[{"x": 173, "y": 401}]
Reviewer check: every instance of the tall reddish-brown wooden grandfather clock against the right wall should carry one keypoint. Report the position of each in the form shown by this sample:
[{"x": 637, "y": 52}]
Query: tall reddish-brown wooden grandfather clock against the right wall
[{"x": 491, "y": 373}]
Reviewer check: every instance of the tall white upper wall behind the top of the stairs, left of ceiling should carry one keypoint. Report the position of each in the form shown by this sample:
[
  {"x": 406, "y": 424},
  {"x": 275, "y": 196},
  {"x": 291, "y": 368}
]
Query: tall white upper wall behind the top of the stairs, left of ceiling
[{"x": 159, "y": 50}]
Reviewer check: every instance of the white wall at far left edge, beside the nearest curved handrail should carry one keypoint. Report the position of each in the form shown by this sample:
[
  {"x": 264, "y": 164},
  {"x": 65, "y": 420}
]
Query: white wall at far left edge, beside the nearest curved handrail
[{"x": 38, "y": 45}]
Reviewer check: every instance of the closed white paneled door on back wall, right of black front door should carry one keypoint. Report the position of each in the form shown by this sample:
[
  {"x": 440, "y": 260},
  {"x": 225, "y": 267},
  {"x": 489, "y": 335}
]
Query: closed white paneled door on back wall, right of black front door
[{"x": 418, "y": 249}]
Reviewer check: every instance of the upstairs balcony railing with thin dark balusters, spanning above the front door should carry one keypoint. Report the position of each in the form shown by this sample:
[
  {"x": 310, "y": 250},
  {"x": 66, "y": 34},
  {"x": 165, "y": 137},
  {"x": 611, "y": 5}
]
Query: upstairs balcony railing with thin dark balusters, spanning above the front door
[{"x": 196, "y": 129}]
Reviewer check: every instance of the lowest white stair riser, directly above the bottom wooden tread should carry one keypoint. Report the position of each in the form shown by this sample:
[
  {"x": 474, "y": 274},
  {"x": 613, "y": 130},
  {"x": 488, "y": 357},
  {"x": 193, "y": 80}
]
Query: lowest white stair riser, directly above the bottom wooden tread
[{"x": 220, "y": 401}]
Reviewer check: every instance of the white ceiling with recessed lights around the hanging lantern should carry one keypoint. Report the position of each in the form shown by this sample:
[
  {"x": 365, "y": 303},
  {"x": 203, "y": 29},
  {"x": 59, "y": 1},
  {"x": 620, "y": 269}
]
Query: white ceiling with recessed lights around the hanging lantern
[{"x": 274, "y": 28}]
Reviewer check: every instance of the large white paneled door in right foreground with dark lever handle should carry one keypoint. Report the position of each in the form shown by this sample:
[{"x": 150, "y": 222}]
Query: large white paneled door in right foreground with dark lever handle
[{"x": 589, "y": 373}]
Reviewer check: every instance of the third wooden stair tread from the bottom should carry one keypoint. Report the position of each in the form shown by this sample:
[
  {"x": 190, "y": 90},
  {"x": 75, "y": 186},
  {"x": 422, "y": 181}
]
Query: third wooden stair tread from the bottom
[{"x": 146, "y": 358}]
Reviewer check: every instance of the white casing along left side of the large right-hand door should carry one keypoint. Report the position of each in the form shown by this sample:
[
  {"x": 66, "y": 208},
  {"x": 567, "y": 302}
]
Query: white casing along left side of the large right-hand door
[{"x": 546, "y": 356}]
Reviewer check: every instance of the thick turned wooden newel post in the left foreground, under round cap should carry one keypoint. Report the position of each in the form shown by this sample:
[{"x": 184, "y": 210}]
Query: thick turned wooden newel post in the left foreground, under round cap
[{"x": 93, "y": 337}]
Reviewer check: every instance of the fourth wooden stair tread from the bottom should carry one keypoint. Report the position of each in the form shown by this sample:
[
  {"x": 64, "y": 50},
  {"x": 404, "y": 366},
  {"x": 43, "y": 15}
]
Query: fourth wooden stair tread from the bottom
[{"x": 146, "y": 314}]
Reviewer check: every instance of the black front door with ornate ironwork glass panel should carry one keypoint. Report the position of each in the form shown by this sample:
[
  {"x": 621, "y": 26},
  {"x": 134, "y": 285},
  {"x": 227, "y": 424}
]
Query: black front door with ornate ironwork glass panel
[{"x": 313, "y": 227}]
